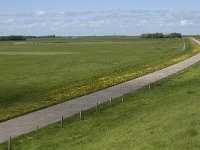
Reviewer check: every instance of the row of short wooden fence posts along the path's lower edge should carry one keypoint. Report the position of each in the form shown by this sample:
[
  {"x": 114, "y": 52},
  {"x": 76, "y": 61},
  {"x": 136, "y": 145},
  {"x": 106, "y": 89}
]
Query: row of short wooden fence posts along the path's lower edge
[{"x": 62, "y": 119}]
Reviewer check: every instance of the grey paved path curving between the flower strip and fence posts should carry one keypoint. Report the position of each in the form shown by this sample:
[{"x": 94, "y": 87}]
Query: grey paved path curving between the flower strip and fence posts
[{"x": 44, "y": 117}]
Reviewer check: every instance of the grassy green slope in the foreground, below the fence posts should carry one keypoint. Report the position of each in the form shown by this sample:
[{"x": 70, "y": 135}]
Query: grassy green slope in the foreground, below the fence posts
[{"x": 165, "y": 117}]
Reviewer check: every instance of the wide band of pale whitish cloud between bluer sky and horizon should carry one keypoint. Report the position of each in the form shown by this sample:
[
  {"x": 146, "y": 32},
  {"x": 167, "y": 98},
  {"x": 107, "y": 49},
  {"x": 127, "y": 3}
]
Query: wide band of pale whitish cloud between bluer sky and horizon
[{"x": 100, "y": 22}]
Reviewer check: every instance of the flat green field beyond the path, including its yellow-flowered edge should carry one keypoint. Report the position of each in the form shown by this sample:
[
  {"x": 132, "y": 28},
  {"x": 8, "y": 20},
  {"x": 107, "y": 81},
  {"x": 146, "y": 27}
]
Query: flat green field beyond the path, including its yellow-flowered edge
[{"x": 40, "y": 72}]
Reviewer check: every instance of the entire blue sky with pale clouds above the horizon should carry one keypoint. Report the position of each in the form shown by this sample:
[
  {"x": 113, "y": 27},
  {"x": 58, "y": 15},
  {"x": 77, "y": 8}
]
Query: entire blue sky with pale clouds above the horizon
[{"x": 98, "y": 17}]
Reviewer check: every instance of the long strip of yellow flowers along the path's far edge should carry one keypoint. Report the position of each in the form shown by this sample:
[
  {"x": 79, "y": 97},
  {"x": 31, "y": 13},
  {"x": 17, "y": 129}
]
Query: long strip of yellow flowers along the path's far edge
[{"x": 100, "y": 83}]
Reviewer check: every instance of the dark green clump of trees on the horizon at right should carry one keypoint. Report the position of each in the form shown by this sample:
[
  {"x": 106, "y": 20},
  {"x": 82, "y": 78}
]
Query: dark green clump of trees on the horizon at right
[{"x": 161, "y": 35}]
